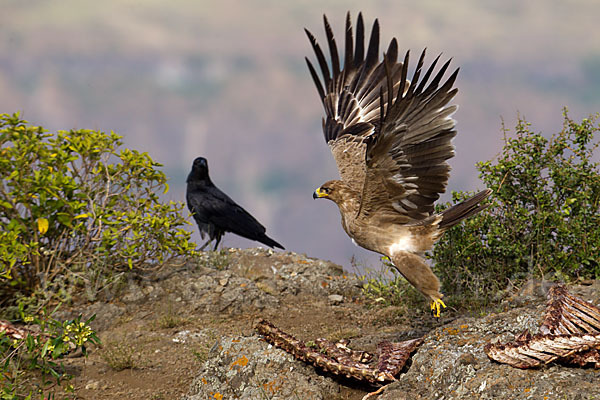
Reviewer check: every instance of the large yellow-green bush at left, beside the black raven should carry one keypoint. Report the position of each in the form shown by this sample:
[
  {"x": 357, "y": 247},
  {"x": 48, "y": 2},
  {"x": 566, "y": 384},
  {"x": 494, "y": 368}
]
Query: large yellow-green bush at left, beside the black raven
[{"x": 74, "y": 206}]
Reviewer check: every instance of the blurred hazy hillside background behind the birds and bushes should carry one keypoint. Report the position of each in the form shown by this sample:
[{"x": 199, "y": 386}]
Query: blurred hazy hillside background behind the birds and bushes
[{"x": 227, "y": 80}]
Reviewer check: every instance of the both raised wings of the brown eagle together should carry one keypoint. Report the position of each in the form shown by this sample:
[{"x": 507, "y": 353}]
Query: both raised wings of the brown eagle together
[{"x": 391, "y": 149}]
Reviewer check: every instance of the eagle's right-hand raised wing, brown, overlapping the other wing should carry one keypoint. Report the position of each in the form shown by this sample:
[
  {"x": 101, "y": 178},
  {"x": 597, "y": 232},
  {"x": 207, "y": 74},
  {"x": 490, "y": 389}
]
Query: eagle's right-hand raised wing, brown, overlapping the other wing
[{"x": 406, "y": 168}]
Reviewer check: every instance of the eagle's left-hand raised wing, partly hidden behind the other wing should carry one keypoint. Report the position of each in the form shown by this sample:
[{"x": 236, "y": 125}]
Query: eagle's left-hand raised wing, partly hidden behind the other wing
[{"x": 351, "y": 95}]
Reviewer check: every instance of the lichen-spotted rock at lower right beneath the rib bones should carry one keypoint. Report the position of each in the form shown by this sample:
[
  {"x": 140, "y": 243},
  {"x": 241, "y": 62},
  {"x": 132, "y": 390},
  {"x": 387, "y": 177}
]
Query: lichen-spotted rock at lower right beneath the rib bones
[{"x": 451, "y": 364}]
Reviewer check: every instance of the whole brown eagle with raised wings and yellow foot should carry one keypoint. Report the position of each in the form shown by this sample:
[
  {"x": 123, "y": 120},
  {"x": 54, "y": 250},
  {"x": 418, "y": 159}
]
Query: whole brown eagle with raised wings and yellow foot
[{"x": 390, "y": 138}]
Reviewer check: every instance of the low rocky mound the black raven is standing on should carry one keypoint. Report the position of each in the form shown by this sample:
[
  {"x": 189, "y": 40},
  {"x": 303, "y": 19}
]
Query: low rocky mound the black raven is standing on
[{"x": 230, "y": 282}]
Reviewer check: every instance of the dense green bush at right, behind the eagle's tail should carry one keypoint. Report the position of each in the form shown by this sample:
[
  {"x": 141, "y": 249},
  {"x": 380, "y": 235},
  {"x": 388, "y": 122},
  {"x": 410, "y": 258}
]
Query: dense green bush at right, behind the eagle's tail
[{"x": 543, "y": 221}]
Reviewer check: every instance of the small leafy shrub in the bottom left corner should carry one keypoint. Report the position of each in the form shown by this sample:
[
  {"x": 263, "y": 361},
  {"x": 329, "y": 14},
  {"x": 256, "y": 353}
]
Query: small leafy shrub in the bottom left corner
[{"x": 31, "y": 365}]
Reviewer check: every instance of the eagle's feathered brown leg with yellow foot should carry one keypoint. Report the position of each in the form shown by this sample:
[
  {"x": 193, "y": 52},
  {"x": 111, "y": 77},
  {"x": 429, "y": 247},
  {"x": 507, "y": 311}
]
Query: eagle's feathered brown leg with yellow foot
[{"x": 414, "y": 268}]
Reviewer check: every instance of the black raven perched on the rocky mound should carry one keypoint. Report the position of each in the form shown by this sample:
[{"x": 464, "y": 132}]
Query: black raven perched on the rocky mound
[{"x": 215, "y": 213}]
